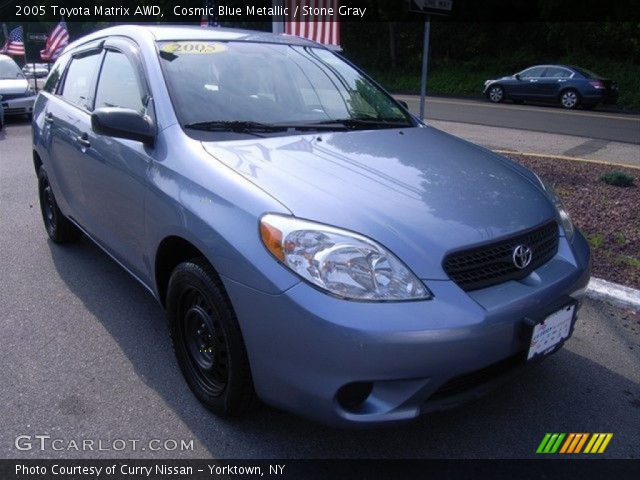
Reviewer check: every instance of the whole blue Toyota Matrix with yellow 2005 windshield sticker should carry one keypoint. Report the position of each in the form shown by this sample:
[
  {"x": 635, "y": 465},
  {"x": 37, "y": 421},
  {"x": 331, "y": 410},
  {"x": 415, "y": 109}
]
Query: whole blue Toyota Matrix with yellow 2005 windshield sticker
[{"x": 314, "y": 245}]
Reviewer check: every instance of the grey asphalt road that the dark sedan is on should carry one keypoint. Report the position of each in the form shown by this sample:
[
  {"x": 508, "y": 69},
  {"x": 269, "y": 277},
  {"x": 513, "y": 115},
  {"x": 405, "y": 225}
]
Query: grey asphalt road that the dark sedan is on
[{"x": 600, "y": 125}]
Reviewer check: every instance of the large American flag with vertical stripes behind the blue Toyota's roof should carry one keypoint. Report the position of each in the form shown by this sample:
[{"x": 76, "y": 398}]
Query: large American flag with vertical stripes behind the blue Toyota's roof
[{"x": 323, "y": 29}]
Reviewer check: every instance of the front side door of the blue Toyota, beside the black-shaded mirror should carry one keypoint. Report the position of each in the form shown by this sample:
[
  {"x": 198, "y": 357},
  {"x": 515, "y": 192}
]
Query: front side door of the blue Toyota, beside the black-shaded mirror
[{"x": 115, "y": 177}]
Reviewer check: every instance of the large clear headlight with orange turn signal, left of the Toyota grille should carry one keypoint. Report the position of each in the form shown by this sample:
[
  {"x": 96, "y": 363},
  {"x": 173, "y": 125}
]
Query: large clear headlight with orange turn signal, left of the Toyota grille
[{"x": 340, "y": 262}]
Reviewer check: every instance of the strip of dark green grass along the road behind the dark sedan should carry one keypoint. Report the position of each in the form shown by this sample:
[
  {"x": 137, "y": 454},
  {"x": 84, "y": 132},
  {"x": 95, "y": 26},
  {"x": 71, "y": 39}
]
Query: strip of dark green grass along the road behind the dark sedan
[{"x": 467, "y": 78}]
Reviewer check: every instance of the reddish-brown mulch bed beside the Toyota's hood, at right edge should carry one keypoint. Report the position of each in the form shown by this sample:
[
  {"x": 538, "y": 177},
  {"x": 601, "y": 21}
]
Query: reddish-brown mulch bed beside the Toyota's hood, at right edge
[{"x": 607, "y": 215}]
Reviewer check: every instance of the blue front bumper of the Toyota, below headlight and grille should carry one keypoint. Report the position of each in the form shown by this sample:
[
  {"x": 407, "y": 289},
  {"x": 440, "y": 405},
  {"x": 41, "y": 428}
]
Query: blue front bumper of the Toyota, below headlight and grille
[{"x": 305, "y": 346}]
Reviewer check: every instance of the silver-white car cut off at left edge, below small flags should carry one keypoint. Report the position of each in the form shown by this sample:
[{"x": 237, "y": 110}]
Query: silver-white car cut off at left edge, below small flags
[{"x": 17, "y": 96}]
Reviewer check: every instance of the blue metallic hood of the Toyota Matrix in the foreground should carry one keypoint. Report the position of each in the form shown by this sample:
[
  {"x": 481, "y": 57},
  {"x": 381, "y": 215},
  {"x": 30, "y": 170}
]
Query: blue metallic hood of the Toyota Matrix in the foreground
[{"x": 418, "y": 191}]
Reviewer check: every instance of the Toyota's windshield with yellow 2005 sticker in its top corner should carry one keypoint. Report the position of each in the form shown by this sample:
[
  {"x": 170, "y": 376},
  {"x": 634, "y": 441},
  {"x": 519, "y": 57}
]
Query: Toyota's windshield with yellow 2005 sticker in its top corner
[{"x": 271, "y": 84}]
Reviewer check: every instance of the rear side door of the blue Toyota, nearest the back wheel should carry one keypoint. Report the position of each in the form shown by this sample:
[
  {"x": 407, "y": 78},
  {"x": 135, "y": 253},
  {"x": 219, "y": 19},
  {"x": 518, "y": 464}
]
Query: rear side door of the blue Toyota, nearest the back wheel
[{"x": 67, "y": 117}]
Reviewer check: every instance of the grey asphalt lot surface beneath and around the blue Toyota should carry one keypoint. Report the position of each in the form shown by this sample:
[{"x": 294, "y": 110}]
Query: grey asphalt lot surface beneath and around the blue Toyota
[{"x": 85, "y": 354}]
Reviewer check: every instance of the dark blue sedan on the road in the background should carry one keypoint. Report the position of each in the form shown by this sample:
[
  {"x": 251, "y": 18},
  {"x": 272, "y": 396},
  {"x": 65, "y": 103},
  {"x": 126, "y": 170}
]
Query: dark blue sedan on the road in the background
[{"x": 569, "y": 86}]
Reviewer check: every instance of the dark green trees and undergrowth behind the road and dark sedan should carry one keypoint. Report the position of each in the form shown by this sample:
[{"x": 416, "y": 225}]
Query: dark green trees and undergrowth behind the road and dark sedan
[{"x": 465, "y": 54}]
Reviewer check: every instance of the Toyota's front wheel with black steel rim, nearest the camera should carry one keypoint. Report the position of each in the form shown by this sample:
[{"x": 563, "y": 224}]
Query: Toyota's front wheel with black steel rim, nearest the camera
[{"x": 207, "y": 340}]
